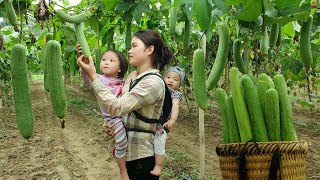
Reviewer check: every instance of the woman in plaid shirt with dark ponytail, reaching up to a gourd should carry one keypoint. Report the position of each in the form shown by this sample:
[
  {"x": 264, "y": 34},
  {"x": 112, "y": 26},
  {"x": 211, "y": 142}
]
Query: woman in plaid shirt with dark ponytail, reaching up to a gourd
[{"x": 149, "y": 55}]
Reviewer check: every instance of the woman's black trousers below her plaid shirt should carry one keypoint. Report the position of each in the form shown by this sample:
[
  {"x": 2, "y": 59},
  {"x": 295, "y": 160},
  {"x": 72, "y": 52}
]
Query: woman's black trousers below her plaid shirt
[{"x": 140, "y": 169}]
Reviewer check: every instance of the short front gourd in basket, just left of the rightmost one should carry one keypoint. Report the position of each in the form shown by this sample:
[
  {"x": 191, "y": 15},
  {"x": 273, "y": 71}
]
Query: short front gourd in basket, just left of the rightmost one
[{"x": 273, "y": 115}]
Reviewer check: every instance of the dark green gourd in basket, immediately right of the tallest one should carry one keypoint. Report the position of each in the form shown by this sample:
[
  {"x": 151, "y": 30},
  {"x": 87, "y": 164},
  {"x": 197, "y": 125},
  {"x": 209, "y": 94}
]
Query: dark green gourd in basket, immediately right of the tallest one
[{"x": 258, "y": 124}]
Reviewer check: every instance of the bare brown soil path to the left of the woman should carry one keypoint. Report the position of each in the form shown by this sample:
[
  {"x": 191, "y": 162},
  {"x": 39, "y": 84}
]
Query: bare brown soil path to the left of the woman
[{"x": 79, "y": 151}]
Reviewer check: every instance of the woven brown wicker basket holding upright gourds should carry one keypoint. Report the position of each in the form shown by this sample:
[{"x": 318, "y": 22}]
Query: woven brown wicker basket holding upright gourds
[{"x": 258, "y": 159}]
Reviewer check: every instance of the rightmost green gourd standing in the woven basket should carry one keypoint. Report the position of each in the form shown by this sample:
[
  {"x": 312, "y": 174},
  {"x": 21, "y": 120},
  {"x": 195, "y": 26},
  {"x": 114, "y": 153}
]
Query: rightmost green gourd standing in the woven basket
[{"x": 288, "y": 132}]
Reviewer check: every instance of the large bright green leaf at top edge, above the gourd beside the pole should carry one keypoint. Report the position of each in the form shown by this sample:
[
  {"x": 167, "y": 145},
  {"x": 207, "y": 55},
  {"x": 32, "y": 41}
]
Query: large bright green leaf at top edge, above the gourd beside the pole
[{"x": 202, "y": 12}]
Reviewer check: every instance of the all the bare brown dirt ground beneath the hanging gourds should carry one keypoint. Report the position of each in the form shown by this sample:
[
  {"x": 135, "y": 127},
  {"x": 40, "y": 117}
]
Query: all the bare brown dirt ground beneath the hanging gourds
[{"x": 81, "y": 150}]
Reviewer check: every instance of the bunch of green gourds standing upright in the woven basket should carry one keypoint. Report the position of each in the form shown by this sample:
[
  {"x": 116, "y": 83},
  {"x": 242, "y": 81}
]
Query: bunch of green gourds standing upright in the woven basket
[{"x": 258, "y": 111}]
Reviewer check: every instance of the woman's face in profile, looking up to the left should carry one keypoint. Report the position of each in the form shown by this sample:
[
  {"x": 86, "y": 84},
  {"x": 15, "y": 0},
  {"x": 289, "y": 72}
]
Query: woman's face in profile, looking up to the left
[{"x": 139, "y": 53}]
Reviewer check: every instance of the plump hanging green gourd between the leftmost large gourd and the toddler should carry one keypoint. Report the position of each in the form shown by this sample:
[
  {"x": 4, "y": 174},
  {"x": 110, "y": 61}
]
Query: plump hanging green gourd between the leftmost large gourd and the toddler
[{"x": 56, "y": 82}]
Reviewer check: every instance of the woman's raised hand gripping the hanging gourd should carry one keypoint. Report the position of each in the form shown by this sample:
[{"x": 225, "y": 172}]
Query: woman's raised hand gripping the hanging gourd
[{"x": 87, "y": 65}]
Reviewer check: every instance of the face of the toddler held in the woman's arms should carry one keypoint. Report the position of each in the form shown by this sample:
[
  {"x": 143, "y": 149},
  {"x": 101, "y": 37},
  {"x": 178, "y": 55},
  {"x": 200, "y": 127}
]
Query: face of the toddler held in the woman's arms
[{"x": 110, "y": 64}]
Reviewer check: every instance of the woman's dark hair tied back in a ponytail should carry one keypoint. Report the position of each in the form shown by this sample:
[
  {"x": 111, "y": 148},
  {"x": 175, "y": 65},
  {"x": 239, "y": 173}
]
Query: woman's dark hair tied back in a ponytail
[{"x": 161, "y": 55}]
